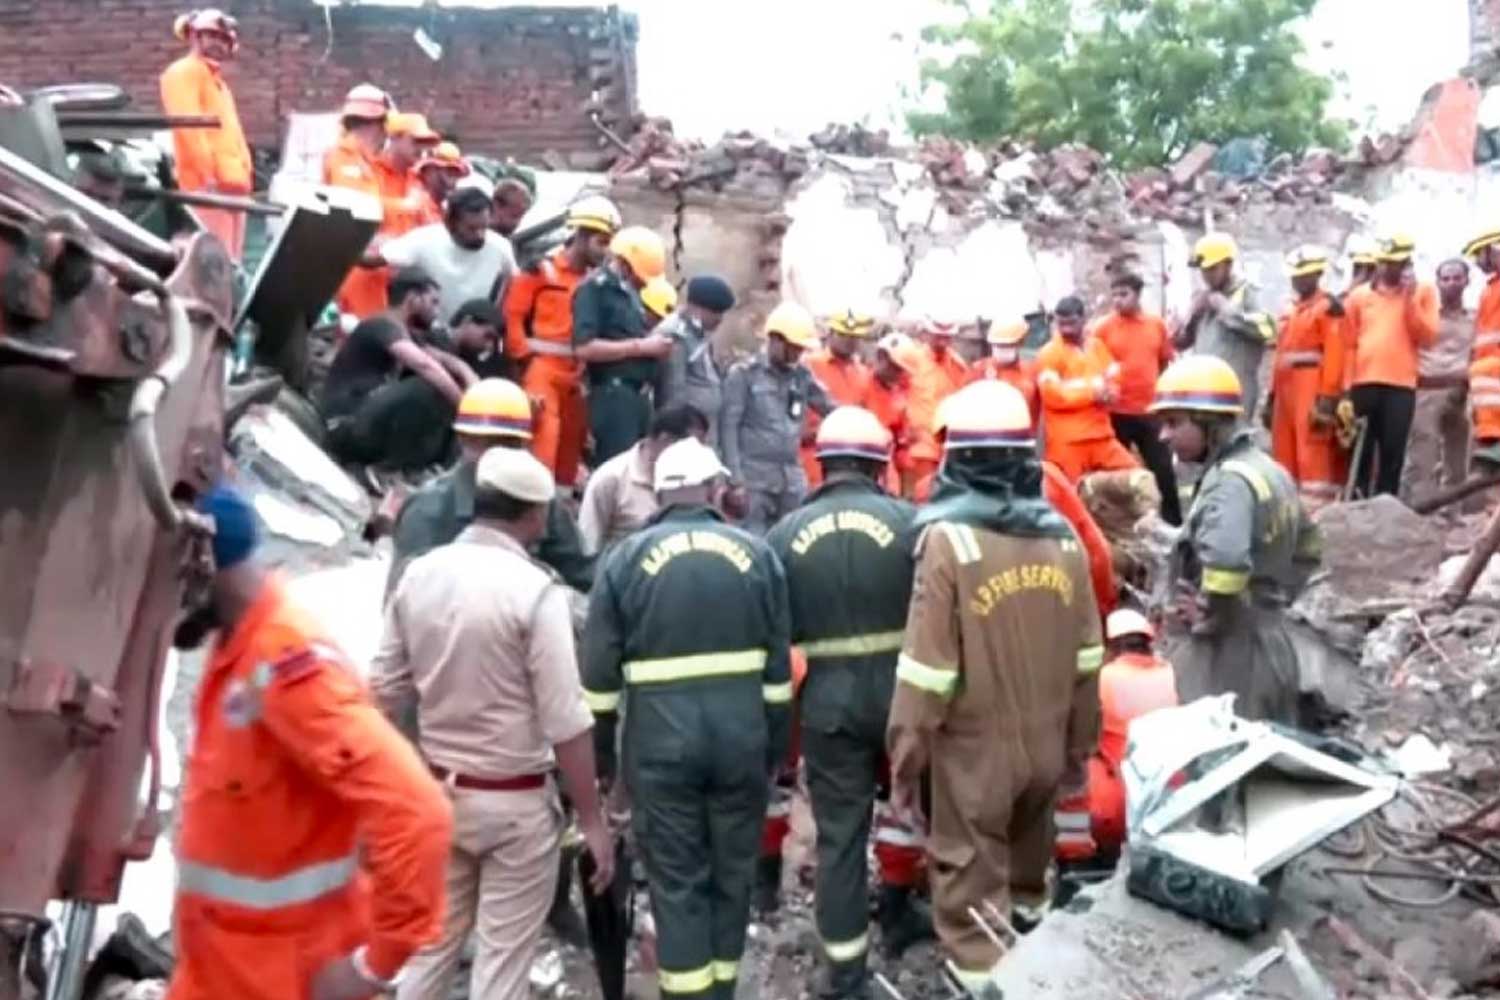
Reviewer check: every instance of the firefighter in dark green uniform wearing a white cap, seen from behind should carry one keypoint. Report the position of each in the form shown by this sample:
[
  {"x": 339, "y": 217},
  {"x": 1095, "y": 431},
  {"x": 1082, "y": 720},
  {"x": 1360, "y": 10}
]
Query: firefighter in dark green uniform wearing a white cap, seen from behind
[{"x": 689, "y": 624}]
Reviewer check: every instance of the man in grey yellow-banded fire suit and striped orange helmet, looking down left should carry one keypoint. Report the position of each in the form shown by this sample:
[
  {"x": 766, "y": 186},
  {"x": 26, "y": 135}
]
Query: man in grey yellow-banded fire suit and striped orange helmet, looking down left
[{"x": 1246, "y": 552}]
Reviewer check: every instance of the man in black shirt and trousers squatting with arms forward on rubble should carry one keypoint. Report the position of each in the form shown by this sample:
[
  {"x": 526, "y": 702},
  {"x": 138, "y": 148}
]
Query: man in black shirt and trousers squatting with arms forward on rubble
[{"x": 377, "y": 419}]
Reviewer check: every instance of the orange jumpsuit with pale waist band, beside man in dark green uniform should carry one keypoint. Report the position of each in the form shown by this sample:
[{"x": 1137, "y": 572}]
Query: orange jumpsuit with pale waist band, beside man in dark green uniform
[{"x": 539, "y": 326}]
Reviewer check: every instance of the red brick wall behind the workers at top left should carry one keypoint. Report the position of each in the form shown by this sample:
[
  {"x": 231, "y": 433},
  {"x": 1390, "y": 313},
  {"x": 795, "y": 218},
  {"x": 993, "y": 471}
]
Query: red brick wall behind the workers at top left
[{"x": 512, "y": 82}]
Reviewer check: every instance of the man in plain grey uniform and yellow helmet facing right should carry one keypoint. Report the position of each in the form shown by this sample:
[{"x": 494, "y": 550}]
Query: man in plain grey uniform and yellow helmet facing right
[{"x": 764, "y": 415}]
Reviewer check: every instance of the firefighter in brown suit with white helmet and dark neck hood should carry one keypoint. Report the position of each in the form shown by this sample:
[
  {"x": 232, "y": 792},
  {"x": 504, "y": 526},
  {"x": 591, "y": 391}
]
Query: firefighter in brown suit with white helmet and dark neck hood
[{"x": 997, "y": 683}]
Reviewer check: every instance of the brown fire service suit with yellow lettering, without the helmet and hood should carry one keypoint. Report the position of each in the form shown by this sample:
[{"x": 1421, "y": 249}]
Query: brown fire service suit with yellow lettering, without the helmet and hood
[{"x": 997, "y": 689}]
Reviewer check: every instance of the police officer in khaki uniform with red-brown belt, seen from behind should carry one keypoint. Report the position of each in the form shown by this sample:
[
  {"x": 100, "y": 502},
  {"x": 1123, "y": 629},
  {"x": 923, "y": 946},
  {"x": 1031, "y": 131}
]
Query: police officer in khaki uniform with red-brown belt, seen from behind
[{"x": 479, "y": 636}]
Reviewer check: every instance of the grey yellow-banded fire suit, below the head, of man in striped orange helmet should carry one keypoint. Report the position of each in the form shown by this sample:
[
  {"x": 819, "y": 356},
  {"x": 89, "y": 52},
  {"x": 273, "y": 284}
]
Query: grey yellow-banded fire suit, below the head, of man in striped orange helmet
[{"x": 1249, "y": 549}]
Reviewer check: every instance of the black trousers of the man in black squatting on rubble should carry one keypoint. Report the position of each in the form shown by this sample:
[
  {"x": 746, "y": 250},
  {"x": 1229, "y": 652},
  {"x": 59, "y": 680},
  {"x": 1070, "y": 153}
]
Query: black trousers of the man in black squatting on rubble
[{"x": 406, "y": 425}]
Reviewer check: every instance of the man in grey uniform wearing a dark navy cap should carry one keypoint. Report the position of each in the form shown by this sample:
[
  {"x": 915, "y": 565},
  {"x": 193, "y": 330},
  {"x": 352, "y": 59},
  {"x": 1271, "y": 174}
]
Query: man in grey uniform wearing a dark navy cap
[{"x": 691, "y": 374}]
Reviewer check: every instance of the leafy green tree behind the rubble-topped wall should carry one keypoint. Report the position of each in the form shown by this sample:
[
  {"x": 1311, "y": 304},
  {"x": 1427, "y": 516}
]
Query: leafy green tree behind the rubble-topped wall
[{"x": 1138, "y": 80}]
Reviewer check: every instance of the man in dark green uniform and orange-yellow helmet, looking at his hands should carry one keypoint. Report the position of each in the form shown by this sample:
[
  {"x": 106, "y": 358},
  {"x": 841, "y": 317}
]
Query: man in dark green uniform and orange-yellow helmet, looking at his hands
[{"x": 610, "y": 337}]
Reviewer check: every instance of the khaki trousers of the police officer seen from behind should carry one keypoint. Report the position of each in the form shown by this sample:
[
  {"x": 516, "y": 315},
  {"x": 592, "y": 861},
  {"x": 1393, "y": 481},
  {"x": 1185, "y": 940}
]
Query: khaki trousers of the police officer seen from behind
[{"x": 502, "y": 876}]
